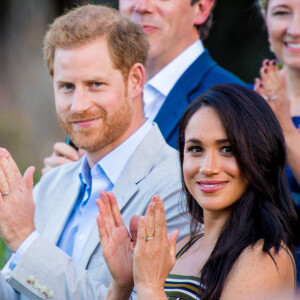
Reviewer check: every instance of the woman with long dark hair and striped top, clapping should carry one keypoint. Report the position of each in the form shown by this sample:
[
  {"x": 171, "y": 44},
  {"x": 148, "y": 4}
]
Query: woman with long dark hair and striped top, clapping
[{"x": 232, "y": 158}]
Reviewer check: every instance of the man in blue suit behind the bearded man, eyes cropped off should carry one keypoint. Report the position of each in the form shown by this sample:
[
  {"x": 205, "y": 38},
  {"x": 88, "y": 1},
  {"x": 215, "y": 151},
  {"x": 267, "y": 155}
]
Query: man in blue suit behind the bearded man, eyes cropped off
[{"x": 178, "y": 67}]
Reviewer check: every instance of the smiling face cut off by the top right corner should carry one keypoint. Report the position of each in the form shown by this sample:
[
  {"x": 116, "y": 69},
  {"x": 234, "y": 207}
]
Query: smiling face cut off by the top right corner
[{"x": 283, "y": 23}]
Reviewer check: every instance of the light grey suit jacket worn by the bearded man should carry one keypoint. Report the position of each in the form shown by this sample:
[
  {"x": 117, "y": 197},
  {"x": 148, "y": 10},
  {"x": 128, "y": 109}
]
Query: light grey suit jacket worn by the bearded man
[{"x": 152, "y": 169}]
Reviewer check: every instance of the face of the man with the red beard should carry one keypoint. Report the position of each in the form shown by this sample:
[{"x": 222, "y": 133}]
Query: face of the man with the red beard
[{"x": 91, "y": 98}]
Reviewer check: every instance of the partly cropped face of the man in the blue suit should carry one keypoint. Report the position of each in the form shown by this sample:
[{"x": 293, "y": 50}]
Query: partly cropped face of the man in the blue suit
[{"x": 169, "y": 25}]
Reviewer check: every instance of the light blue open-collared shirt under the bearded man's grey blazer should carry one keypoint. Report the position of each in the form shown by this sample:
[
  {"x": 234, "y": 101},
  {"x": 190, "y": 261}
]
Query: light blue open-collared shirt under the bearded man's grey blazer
[{"x": 101, "y": 176}]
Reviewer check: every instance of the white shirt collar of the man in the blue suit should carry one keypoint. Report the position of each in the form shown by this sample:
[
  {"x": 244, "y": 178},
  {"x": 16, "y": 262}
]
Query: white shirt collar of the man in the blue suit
[{"x": 166, "y": 78}]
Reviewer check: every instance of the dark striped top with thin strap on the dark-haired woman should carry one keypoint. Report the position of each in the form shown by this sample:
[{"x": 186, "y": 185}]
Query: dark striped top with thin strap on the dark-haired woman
[{"x": 181, "y": 287}]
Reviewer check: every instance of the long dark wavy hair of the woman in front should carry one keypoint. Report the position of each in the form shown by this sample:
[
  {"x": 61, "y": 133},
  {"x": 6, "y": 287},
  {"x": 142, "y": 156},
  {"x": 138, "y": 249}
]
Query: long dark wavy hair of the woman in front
[{"x": 266, "y": 210}]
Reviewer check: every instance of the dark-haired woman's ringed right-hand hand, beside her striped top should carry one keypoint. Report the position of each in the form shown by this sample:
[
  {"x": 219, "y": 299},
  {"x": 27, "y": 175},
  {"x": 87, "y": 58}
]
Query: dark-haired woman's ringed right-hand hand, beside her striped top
[{"x": 154, "y": 255}]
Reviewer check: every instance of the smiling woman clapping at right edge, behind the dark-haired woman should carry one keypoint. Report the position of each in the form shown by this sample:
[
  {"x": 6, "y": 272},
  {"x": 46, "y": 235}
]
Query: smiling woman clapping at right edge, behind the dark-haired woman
[{"x": 282, "y": 89}]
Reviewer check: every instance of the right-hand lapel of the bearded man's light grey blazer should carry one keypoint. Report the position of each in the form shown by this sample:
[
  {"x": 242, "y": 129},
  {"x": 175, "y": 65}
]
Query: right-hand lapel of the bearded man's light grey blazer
[{"x": 126, "y": 186}]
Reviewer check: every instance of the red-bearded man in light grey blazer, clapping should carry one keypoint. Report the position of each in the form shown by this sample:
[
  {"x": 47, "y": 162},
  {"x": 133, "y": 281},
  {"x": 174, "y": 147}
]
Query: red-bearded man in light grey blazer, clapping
[{"x": 96, "y": 61}]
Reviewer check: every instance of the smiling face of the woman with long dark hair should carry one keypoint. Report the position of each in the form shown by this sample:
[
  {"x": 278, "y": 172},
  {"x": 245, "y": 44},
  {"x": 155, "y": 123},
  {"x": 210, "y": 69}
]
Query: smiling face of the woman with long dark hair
[{"x": 210, "y": 170}]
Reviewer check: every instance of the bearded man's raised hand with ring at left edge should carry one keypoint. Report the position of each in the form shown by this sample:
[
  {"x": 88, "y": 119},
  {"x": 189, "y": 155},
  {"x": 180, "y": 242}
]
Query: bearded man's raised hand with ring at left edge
[{"x": 16, "y": 202}]
